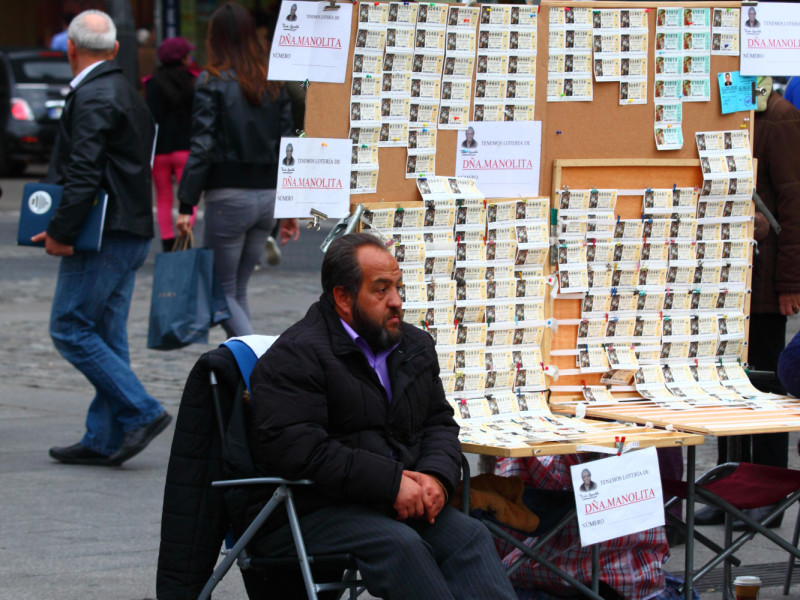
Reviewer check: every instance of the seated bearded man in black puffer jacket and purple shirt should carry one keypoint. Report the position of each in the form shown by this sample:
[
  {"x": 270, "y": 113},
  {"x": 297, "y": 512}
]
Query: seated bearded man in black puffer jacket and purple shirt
[{"x": 350, "y": 397}]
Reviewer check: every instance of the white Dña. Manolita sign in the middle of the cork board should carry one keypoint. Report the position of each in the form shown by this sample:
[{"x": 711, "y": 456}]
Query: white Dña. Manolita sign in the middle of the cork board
[{"x": 502, "y": 157}]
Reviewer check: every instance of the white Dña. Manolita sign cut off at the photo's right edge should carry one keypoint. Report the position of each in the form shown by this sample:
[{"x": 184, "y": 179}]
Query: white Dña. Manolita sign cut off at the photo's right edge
[{"x": 770, "y": 39}]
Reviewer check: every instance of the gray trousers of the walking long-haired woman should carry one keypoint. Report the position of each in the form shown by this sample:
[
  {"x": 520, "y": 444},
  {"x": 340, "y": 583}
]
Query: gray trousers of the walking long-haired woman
[{"x": 237, "y": 224}]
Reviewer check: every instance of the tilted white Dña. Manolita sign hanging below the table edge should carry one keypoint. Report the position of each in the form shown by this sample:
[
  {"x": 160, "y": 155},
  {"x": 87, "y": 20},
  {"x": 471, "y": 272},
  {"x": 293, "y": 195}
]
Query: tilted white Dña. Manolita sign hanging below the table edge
[{"x": 618, "y": 496}]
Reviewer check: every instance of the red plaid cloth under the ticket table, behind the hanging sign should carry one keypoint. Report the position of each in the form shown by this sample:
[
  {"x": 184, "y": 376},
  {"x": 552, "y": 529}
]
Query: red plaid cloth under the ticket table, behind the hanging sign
[{"x": 631, "y": 564}]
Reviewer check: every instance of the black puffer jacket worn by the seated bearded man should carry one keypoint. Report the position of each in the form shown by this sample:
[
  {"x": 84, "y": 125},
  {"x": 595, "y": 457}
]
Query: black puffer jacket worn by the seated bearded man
[{"x": 321, "y": 413}]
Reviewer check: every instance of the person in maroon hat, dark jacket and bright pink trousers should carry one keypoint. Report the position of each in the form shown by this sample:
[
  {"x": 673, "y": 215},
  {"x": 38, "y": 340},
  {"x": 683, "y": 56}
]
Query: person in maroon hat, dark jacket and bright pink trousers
[{"x": 169, "y": 95}]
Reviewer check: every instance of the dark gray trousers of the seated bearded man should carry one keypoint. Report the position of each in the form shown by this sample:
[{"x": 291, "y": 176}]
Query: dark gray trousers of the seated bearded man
[{"x": 454, "y": 558}]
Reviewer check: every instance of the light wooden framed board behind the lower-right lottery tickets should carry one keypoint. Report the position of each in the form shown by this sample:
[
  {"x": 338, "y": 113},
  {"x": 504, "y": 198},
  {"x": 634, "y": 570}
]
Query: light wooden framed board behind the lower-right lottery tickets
[{"x": 621, "y": 174}]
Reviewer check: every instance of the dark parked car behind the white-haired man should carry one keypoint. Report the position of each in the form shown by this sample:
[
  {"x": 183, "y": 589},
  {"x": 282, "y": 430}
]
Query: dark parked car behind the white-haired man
[{"x": 33, "y": 85}]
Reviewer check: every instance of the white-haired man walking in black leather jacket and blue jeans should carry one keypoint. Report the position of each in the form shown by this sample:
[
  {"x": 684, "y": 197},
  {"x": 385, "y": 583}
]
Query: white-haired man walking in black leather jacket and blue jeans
[{"x": 104, "y": 142}]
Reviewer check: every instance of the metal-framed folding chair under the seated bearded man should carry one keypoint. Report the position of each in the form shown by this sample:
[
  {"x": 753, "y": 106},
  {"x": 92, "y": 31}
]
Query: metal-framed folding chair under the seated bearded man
[{"x": 234, "y": 426}]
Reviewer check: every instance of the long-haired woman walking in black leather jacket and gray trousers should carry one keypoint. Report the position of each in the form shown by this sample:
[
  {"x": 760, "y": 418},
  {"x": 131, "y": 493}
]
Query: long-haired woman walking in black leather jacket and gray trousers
[{"x": 237, "y": 123}]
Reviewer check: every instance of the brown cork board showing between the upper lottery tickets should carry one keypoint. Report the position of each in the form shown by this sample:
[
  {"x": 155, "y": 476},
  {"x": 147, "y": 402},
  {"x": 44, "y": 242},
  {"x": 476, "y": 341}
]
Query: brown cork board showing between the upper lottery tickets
[{"x": 600, "y": 129}]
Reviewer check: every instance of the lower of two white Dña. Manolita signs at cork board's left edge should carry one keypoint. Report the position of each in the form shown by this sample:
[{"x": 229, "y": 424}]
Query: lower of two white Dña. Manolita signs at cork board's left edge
[{"x": 313, "y": 173}]
